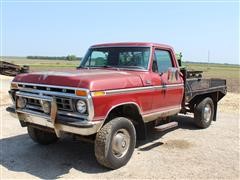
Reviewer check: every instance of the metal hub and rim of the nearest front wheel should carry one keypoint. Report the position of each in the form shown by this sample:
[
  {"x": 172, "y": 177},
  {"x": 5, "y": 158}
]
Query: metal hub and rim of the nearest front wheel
[{"x": 120, "y": 143}]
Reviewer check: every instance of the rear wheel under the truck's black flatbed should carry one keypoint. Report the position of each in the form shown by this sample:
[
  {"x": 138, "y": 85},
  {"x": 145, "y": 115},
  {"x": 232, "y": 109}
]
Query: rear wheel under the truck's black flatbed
[{"x": 203, "y": 113}]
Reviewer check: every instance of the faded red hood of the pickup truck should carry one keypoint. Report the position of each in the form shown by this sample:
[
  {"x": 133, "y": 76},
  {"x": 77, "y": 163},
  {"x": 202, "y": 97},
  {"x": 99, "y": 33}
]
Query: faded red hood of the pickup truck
[{"x": 92, "y": 79}]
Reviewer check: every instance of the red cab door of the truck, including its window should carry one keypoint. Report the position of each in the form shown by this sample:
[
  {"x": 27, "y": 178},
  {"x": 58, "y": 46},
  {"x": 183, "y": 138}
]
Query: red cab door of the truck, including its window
[{"x": 167, "y": 82}]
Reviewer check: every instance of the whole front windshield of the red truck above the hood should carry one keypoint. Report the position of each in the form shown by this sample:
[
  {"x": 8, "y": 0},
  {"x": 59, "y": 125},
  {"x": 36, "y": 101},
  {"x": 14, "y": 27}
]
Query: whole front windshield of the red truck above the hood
[{"x": 117, "y": 57}]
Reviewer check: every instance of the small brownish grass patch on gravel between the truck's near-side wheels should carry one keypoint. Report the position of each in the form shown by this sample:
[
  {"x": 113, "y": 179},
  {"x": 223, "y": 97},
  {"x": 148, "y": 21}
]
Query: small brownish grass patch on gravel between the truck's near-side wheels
[{"x": 179, "y": 144}]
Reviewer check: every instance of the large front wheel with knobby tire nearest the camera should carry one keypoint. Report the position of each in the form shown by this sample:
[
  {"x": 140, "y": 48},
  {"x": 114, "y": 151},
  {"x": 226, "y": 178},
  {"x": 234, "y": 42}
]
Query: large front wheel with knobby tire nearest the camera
[{"x": 115, "y": 143}]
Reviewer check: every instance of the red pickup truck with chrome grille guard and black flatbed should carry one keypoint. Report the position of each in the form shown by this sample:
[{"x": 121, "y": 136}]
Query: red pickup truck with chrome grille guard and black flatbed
[{"x": 110, "y": 98}]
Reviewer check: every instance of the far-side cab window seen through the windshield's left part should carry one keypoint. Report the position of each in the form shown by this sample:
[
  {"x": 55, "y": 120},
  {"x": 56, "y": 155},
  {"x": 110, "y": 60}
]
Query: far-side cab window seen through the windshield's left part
[{"x": 98, "y": 58}]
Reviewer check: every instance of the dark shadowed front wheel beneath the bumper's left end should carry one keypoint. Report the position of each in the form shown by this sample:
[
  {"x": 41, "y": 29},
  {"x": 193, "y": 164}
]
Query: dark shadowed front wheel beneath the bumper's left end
[{"x": 42, "y": 137}]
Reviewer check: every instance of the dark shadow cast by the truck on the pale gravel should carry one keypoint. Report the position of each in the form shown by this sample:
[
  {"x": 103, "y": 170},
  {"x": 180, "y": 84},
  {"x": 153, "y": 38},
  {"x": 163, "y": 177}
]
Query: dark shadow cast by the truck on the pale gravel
[{"x": 21, "y": 154}]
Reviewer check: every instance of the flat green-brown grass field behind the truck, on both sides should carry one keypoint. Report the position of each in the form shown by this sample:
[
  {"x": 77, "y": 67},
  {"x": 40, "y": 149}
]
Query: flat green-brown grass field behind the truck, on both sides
[{"x": 229, "y": 72}]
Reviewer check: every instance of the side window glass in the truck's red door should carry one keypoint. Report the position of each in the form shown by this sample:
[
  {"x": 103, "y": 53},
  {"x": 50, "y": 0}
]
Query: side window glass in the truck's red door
[{"x": 163, "y": 59}]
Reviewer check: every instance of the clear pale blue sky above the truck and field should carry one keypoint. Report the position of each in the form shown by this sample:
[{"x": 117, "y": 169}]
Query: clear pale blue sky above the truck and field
[{"x": 62, "y": 28}]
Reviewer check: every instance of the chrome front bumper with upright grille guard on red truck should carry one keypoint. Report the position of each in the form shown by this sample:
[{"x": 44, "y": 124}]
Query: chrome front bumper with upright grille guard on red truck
[{"x": 55, "y": 121}]
